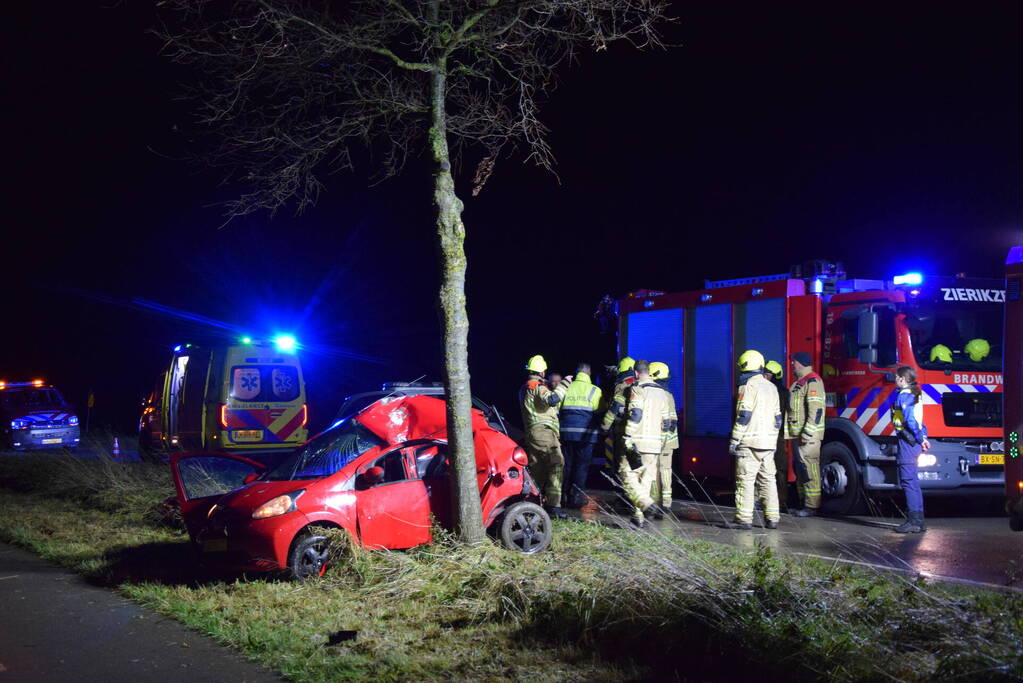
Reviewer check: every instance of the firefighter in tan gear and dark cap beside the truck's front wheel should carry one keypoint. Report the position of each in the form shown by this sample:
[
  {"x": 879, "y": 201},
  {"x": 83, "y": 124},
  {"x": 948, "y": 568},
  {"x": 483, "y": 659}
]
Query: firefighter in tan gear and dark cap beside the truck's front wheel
[{"x": 806, "y": 425}]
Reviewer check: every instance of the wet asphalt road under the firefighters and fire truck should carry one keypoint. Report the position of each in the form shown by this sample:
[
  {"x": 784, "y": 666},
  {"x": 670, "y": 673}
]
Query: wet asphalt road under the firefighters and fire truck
[{"x": 980, "y": 550}]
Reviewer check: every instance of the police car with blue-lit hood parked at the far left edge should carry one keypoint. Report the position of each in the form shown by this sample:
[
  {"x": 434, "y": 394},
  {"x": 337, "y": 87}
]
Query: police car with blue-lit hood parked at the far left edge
[{"x": 34, "y": 416}]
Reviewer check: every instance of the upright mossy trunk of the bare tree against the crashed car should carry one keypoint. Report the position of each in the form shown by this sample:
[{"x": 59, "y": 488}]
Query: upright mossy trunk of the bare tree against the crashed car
[{"x": 466, "y": 499}]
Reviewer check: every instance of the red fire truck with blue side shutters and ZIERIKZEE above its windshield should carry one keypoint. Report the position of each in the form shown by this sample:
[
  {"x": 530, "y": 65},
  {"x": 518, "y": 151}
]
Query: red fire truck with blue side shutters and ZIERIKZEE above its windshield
[{"x": 859, "y": 333}]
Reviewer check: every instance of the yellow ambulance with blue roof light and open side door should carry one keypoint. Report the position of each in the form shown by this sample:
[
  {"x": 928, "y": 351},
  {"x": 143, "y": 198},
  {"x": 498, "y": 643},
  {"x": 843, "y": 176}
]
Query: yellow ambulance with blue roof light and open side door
[{"x": 247, "y": 398}]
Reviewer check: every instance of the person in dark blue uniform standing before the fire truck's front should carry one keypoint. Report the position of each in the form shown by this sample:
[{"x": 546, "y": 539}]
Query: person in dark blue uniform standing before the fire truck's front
[{"x": 908, "y": 421}]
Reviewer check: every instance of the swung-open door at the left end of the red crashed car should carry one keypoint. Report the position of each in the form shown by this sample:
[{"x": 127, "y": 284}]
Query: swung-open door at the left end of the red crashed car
[{"x": 201, "y": 480}]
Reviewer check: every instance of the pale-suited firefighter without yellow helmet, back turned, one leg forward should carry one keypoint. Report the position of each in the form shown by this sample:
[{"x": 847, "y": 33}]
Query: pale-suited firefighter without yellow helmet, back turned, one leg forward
[{"x": 648, "y": 414}]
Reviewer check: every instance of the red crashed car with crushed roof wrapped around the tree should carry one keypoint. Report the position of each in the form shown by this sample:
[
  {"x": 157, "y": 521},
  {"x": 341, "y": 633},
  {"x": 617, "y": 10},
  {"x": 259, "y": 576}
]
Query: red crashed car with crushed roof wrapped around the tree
[{"x": 382, "y": 475}]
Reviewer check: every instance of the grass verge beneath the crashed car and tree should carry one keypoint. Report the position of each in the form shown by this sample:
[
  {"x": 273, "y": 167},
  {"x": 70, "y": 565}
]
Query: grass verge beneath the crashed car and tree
[{"x": 603, "y": 605}]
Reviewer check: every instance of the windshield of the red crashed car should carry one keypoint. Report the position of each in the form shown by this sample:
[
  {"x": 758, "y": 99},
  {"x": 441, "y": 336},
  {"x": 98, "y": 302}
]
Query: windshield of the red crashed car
[{"x": 327, "y": 454}]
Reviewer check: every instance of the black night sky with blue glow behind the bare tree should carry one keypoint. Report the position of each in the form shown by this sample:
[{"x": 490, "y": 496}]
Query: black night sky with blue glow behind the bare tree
[{"x": 885, "y": 138}]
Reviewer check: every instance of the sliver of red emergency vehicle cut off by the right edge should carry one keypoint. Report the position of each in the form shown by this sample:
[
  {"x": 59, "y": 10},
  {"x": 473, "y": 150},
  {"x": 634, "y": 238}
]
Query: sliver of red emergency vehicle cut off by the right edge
[{"x": 1013, "y": 411}]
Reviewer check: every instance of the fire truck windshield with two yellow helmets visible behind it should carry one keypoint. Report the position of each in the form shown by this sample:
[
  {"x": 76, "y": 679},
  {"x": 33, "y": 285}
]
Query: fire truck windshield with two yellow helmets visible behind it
[{"x": 944, "y": 337}]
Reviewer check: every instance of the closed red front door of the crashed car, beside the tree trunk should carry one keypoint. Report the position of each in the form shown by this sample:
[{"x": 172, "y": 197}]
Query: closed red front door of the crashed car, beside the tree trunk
[{"x": 394, "y": 512}]
